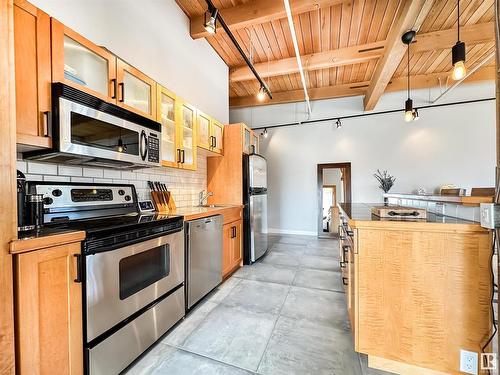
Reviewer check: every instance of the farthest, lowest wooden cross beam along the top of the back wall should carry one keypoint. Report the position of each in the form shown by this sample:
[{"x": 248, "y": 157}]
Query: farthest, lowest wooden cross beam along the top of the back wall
[{"x": 328, "y": 92}]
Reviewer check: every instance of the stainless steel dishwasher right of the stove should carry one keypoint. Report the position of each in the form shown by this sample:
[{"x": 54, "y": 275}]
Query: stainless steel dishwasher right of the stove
[{"x": 203, "y": 257}]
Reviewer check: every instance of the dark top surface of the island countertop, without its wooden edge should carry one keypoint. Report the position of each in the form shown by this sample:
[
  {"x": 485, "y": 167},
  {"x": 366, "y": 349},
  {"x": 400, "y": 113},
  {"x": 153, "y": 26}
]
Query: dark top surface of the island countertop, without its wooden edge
[{"x": 362, "y": 212}]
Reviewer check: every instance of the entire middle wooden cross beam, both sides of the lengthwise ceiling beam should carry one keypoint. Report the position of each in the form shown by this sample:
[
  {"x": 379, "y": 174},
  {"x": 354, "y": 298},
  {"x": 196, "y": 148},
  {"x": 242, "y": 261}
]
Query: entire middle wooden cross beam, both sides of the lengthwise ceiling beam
[{"x": 437, "y": 40}]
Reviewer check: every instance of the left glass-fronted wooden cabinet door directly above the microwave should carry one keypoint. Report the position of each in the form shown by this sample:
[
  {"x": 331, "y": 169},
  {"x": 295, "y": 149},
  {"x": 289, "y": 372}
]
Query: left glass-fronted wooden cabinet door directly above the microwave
[{"x": 79, "y": 63}]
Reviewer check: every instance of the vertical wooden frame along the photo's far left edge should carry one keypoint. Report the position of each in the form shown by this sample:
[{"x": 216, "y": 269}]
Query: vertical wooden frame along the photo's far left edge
[{"x": 8, "y": 226}]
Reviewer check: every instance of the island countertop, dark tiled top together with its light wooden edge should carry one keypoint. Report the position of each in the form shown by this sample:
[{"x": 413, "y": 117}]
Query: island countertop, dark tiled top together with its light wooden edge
[{"x": 360, "y": 216}]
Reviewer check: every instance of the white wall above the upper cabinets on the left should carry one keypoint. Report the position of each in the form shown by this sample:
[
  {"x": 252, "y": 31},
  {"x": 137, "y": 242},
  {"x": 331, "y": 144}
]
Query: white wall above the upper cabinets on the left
[{"x": 153, "y": 36}]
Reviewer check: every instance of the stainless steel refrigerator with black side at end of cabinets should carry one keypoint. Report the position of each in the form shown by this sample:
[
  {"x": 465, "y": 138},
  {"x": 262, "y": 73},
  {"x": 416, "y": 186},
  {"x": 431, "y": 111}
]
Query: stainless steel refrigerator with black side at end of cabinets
[{"x": 255, "y": 242}]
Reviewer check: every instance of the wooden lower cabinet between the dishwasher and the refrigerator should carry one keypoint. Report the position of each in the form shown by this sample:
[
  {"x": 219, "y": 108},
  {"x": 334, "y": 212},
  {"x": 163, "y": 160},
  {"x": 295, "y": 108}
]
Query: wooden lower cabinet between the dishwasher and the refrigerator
[{"x": 232, "y": 247}]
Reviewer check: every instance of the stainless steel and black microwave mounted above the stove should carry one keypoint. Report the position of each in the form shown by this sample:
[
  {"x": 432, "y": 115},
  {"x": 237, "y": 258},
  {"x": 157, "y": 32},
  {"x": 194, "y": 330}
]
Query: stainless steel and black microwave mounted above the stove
[{"x": 88, "y": 130}]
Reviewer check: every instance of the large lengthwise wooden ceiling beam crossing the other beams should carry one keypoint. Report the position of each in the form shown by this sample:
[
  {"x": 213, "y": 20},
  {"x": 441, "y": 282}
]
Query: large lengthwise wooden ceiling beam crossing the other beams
[{"x": 410, "y": 15}]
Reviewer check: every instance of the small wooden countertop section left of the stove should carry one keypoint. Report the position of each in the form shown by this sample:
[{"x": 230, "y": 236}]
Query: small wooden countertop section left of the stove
[{"x": 45, "y": 239}]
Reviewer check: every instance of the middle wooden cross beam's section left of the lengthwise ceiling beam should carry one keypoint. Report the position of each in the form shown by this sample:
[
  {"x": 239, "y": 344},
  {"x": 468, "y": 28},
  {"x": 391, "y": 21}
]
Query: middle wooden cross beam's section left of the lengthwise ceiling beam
[{"x": 314, "y": 61}]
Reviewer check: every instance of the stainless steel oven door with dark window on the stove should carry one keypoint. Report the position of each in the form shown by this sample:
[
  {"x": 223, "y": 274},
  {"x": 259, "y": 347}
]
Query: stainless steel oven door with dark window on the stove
[{"x": 113, "y": 296}]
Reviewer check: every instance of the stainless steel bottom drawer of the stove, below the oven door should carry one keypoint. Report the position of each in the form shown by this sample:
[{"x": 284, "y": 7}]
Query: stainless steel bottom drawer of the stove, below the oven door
[{"x": 116, "y": 352}]
